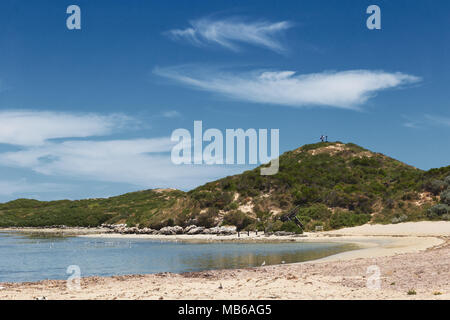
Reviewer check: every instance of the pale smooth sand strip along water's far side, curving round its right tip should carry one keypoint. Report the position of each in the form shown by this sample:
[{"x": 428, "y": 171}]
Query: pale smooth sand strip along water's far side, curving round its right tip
[{"x": 372, "y": 240}]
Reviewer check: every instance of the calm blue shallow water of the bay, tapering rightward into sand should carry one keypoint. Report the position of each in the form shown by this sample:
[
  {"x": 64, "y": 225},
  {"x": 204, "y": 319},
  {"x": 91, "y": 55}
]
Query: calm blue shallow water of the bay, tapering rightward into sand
[{"x": 33, "y": 257}]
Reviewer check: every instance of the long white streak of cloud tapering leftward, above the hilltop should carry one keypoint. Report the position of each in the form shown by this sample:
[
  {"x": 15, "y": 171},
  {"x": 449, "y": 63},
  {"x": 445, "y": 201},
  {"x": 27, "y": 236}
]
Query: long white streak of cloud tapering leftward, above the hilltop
[{"x": 344, "y": 89}]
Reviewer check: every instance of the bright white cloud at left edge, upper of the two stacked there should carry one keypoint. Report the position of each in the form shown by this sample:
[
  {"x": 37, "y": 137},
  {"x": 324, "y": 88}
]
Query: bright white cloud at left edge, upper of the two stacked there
[{"x": 30, "y": 128}]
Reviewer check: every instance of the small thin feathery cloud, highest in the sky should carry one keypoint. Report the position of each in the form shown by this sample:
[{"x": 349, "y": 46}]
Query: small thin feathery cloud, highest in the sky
[{"x": 228, "y": 32}]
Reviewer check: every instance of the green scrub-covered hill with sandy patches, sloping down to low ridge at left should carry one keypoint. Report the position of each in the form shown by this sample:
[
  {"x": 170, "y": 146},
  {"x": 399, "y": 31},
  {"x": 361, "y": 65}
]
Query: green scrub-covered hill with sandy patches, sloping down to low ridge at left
[{"x": 334, "y": 184}]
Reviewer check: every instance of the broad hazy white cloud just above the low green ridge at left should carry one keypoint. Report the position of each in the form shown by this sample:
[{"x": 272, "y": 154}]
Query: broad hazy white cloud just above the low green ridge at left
[{"x": 141, "y": 162}]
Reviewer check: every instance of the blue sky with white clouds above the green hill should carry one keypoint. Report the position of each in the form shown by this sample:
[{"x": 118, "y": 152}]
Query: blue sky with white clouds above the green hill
[{"x": 89, "y": 113}]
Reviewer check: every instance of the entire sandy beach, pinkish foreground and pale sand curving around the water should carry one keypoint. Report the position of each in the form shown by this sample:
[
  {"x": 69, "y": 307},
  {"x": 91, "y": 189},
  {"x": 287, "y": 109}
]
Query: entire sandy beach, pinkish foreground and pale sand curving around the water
[{"x": 412, "y": 260}]
